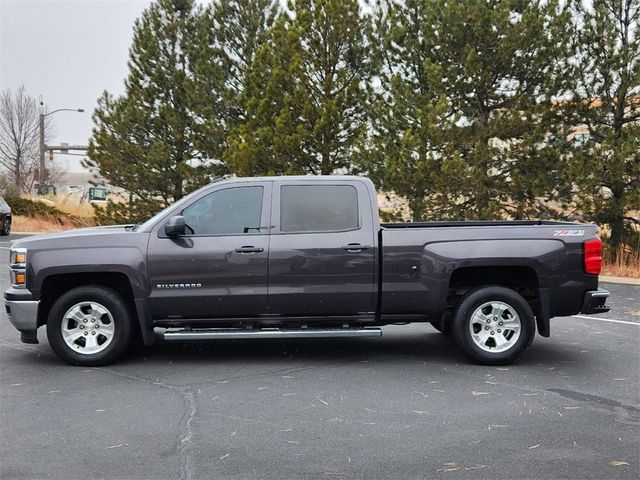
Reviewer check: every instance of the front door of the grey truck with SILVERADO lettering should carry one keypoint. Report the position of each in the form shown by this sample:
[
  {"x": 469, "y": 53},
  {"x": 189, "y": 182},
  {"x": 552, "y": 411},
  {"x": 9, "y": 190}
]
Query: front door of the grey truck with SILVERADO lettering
[{"x": 219, "y": 268}]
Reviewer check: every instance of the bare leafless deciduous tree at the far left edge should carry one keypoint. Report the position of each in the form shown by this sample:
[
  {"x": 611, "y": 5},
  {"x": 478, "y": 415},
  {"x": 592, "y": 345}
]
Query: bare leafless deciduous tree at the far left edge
[{"x": 19, "y": 138}]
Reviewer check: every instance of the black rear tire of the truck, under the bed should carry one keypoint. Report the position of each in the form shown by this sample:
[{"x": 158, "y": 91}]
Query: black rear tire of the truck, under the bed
[{"x": 462, "y": 325}]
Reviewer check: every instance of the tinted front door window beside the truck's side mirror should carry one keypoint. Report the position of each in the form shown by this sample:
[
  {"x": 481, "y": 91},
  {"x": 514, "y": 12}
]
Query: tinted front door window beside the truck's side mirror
[{"x": 225, "y": 212}]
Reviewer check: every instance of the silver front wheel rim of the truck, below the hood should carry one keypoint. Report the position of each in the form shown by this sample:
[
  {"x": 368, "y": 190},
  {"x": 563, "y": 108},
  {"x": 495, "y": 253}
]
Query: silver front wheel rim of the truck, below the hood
[{"x": 87, "y": 328}]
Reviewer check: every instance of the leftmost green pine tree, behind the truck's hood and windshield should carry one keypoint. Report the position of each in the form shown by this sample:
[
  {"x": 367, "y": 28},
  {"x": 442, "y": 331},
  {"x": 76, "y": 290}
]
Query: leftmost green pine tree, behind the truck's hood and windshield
[{"x": 144, "y": 141}]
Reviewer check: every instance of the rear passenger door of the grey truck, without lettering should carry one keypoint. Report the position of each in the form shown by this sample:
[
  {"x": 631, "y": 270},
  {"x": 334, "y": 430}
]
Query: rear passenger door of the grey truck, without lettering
[{"x": 322, "y": 250}]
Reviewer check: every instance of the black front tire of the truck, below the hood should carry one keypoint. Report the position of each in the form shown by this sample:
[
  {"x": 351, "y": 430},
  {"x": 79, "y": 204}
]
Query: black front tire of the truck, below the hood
[{"x": 118, "y": 319}]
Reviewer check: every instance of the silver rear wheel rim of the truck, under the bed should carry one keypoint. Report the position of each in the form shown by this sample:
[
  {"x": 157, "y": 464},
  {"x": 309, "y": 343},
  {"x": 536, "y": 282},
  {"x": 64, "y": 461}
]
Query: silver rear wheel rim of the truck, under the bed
[{"x": 495, "y": 327}]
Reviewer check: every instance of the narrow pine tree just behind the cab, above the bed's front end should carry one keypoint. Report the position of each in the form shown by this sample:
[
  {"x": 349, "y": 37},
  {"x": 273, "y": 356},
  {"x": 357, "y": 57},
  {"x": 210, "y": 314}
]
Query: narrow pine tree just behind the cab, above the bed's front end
[{"x": 406, "y": 111}]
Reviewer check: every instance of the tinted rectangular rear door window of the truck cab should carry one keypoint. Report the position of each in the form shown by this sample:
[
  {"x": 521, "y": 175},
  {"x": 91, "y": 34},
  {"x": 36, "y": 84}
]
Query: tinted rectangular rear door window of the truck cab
[{"x": 318, "y": 208}]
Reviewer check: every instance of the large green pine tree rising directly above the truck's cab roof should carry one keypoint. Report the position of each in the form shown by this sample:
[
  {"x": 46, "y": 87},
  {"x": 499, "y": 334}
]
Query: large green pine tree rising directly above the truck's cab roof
[{"x": 305, "y": 91}]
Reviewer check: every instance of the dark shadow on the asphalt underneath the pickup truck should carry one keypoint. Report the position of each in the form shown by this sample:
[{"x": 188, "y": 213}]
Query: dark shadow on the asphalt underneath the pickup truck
[{"x": 399, "y": 348}]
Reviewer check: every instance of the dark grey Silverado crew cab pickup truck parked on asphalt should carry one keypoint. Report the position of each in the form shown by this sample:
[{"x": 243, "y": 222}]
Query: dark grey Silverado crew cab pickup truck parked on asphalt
[{"x": 297, "y": 257}]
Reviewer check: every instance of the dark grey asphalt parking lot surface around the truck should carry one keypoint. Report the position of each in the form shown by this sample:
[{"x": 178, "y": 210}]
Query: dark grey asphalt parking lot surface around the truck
[{"x": 404, "y": 406}]
